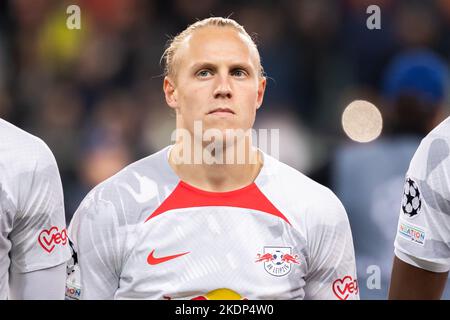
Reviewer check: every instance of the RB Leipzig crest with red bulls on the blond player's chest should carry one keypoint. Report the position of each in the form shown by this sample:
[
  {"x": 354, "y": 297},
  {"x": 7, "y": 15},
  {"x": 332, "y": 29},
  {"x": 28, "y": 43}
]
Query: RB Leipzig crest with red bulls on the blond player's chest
[{"x": 278, "y": 260}]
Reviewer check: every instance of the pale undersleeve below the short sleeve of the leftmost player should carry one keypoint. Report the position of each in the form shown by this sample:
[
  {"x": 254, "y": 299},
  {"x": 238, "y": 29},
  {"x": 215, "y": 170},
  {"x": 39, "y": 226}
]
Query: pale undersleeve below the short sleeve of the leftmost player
[{"x": 45, "y": 284}]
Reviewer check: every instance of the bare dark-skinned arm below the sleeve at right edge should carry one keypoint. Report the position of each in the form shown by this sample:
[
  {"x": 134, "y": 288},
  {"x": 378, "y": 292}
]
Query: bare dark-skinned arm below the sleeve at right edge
[{"x": 409, "y": 282}]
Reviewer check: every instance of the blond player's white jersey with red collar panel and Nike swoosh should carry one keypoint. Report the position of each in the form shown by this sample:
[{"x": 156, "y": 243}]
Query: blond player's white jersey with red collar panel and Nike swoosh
[{"x": 144, "y": 234}]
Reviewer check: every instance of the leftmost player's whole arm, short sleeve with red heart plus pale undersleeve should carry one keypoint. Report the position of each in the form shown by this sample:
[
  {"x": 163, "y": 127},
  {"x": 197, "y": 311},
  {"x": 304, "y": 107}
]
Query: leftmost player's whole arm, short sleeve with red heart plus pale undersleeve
[{"x": 38, "y": 239}]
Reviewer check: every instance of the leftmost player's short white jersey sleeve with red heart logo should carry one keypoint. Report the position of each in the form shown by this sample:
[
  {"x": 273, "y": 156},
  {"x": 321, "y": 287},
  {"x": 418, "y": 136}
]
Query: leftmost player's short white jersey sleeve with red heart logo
[{"x": 39, "y": 237}]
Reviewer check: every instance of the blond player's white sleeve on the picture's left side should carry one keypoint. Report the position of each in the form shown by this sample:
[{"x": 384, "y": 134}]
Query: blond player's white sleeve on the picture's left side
[{"x": 96, "y": 233}]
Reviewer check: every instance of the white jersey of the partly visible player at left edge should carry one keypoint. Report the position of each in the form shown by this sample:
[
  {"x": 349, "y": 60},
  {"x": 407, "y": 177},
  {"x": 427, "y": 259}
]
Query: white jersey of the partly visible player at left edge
[{"x": 32, "y": 222}]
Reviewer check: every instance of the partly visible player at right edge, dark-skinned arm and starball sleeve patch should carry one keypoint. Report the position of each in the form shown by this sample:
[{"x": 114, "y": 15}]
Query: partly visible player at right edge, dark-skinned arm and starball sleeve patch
[{"x": 422, "y": 245}]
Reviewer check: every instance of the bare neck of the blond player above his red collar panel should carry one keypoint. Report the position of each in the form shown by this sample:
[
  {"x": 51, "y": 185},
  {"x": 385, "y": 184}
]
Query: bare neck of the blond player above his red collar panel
[{"x": 216, "y": 177}]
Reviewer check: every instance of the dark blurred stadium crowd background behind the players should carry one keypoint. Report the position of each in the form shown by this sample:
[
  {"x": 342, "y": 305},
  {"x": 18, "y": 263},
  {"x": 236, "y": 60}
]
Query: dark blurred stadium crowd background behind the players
[{"x": 95, "y": 96}]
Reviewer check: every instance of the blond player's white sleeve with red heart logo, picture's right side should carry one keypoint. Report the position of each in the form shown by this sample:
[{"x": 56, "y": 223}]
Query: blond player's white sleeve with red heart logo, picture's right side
[{"x": 331, "y": 265}]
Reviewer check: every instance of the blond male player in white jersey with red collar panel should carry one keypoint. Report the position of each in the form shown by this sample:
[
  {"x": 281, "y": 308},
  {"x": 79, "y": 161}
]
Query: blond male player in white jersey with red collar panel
[{"x": 172, "y": 227}]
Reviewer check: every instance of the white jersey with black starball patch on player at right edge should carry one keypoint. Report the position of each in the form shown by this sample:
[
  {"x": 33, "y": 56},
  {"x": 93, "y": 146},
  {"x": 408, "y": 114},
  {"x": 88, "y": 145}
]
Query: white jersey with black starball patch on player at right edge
[{"x": 423, "y": 234}]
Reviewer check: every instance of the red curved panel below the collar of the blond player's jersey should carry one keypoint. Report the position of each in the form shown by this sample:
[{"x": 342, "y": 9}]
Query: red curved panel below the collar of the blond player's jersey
[{"x": 187, "y": 196}]
